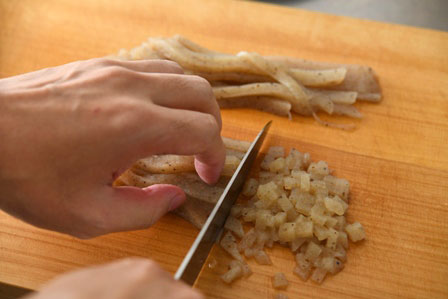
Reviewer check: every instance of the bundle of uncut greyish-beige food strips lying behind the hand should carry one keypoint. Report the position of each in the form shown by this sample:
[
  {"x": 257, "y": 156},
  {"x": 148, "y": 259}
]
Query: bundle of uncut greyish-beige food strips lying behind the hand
[{"x": 307, "y": 86}]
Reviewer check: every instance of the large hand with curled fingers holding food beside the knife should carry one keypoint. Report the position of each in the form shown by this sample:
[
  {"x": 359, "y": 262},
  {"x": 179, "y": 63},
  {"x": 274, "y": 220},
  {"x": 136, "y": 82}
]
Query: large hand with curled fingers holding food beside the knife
[{"x": 66, "y": 133}]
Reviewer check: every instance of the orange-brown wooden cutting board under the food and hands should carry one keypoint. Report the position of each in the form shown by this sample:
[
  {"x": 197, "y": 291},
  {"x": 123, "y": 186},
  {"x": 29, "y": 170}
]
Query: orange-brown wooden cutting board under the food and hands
[{"x": 396, "y": 161}]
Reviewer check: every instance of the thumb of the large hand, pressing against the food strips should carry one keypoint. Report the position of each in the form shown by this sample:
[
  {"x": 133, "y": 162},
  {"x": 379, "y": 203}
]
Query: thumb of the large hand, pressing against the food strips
[{"x": 130, "y": 208}]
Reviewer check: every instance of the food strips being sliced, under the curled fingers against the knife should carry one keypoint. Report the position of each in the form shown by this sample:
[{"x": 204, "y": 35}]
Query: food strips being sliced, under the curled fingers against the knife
[{"x": 179, "y": 171}]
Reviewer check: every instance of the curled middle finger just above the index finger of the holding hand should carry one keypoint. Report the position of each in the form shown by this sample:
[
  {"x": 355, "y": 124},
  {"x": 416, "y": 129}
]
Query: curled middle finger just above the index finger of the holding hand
[{"x": 183, "y": 92}]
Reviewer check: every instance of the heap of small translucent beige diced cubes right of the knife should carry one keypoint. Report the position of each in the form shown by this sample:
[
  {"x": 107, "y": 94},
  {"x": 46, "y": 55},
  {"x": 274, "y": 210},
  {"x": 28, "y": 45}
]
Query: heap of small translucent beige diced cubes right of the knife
[{"x": 300, "y": 205}]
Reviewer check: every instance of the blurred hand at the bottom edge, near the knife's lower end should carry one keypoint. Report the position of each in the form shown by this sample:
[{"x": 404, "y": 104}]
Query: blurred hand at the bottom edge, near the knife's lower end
[{"x": 125, "y": 279}]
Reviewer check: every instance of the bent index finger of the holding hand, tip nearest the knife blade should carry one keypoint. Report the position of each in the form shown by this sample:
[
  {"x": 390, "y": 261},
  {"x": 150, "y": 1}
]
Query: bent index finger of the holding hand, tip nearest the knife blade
[{"x": 186, "y": 132}]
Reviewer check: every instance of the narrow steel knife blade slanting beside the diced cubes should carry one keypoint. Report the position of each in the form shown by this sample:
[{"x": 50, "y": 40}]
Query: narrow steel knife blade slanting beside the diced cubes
[{"x": 192, "y": 264}]
